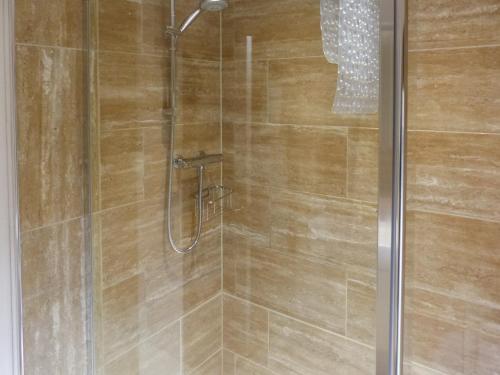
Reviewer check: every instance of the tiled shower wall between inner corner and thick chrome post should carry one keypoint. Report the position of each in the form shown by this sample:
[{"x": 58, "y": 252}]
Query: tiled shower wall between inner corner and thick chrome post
[{"x": 300, "y": 245}]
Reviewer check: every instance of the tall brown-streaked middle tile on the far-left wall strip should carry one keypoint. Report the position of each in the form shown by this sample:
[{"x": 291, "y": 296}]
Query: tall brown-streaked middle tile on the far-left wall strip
[{"x": 50, "y": 128}]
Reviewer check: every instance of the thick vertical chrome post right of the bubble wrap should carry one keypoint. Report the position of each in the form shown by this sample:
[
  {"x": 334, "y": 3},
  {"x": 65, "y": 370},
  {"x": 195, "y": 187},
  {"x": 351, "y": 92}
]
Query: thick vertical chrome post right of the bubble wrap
[{"x": 391, "y": 219}]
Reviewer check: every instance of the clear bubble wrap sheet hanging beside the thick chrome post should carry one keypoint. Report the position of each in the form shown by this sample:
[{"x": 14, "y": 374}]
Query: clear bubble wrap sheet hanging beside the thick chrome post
[{"x": 350, "y": 30}]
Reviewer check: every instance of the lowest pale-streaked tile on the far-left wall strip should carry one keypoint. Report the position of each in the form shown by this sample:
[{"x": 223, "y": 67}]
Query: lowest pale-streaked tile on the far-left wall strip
[{"x": 53, "y": 271}]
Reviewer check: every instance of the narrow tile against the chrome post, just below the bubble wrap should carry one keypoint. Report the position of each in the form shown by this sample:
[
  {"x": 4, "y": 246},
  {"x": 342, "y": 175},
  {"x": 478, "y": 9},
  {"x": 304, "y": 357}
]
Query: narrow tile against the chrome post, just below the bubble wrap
[{"x": 362, "y": 161}]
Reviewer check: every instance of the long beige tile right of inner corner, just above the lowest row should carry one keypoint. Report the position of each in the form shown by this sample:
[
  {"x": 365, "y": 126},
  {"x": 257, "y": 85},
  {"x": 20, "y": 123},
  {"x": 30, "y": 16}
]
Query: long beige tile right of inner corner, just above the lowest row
[{"x": 307, "y": 288}]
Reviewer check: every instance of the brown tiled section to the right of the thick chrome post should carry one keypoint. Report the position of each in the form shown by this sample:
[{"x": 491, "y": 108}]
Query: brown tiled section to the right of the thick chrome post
[{"x": 453, "y": 222}]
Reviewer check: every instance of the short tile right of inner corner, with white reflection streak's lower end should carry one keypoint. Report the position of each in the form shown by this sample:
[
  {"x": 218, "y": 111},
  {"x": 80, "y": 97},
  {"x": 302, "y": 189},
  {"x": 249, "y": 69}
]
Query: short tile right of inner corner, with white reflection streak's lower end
[{"x": 244, "y": 91}]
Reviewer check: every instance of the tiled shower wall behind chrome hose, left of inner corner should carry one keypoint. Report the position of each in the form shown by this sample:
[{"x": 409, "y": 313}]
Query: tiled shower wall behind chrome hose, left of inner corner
[{"x": 156, "y": 311}]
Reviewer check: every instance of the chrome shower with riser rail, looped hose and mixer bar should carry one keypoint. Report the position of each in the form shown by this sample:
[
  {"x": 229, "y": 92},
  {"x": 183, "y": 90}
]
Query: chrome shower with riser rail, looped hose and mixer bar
[{"x": 200, "y": 162}]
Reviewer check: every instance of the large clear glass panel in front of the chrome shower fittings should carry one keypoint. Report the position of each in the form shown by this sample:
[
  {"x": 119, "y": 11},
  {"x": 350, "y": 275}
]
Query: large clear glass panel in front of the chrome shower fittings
[{"x": 283, "y": 279}]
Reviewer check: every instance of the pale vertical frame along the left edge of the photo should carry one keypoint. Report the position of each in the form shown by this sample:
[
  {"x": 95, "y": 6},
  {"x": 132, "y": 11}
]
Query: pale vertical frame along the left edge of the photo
[{"x": 10, "y": 262}]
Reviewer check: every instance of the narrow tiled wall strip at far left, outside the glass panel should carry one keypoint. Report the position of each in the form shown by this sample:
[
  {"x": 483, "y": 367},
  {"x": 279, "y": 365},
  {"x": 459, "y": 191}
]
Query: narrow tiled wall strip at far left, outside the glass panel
[{"x": 50, "y": 122}]
